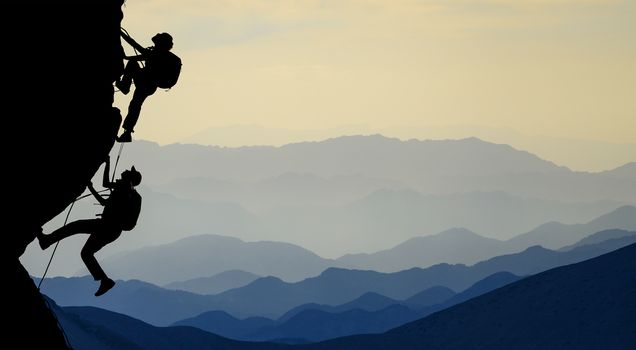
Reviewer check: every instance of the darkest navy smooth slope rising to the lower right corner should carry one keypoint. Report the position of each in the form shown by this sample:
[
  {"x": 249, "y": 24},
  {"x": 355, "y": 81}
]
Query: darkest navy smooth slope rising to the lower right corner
[{"x": 588, "y": 305}]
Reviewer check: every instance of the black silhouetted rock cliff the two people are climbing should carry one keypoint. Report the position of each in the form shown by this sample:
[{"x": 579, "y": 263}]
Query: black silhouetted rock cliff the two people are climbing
[{"x": 65, "y": 56}]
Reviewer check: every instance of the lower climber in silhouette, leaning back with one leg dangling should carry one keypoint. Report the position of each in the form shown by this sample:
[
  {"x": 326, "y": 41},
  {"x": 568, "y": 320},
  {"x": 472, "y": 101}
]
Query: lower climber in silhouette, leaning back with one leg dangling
[{"x": 121, "y": 211}]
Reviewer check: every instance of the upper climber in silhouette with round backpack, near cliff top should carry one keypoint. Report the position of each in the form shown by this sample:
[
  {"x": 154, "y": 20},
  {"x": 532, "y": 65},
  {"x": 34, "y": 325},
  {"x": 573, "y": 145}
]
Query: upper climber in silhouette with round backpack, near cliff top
[{"x": 161, "y": 69}]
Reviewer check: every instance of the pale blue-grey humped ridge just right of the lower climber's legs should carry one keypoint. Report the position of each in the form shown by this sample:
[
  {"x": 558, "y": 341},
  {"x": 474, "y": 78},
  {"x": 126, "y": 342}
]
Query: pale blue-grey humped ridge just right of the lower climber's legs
[{"x": 204, "y": 255}]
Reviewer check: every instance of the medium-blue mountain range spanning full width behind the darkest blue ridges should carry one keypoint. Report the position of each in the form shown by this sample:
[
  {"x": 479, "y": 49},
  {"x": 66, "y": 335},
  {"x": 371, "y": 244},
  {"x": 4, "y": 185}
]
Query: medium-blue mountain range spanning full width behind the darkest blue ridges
[{"x": 271, "y": 297}]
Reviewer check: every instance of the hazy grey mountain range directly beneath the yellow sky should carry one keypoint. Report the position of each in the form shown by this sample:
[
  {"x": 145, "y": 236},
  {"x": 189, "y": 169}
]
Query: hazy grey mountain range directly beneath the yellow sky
[{"x": 432, "y": 166}]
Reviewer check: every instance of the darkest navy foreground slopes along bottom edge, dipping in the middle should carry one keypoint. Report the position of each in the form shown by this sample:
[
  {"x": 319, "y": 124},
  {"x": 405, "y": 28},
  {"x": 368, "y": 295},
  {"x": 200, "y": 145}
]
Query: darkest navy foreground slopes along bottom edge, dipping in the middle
[{"x": 587, "y": 305}]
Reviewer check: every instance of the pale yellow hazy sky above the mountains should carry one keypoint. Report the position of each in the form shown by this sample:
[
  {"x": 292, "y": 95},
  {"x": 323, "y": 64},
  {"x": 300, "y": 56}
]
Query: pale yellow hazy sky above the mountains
[{"x": 555, "y": 77}]
